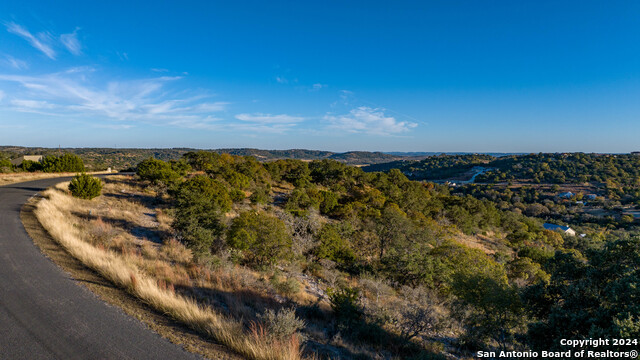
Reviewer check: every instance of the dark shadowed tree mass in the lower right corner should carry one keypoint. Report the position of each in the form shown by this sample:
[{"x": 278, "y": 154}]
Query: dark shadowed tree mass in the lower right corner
[{"x": 588, "y": 296}]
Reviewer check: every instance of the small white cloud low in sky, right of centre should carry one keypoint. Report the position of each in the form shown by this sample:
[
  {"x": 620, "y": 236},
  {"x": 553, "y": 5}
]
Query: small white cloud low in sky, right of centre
[{"x": 371, "y": 121}]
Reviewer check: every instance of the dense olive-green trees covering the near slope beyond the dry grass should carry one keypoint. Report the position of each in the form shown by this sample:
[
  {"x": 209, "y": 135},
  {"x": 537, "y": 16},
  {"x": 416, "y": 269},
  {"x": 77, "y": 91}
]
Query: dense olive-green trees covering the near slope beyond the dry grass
[{"x": 403, "y": 232}]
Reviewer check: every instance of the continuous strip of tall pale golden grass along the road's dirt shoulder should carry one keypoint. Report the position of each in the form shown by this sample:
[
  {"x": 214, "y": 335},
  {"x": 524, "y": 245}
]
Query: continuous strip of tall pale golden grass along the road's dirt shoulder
[{"x": 55, "y": 213}]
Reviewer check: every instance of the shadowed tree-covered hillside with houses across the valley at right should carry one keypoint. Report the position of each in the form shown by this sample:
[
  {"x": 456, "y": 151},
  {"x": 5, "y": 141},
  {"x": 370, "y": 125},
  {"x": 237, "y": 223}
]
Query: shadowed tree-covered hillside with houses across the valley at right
[{"x": 605, "y": 187}]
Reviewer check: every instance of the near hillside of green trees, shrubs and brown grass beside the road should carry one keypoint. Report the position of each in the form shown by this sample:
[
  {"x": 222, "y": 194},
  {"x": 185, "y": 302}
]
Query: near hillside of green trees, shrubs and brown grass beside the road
[{"x": 336, "y": 262}]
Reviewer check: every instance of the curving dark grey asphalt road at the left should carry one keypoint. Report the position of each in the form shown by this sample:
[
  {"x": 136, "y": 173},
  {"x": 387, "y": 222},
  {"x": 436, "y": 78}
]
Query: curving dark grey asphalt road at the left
[{"x": 44, "y": 314}]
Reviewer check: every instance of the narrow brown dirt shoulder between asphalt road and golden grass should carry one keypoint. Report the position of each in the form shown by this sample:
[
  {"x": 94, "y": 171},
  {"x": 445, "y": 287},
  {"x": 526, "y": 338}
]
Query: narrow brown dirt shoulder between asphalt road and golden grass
[{"x": 161, "y": 324}]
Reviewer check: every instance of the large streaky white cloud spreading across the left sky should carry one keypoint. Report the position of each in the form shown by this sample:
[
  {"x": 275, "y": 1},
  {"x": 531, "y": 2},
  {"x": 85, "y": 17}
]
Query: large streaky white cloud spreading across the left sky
[{"x": 71, "y": 93}]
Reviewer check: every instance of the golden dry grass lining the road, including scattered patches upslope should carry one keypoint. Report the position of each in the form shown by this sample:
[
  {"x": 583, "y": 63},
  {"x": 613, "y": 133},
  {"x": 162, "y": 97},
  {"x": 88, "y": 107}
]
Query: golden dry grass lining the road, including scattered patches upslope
[{"x": 113, "y": 256}]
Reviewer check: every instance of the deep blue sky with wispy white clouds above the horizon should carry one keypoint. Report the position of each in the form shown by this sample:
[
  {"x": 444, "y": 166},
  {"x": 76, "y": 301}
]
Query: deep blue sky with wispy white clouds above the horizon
[{"x": 503, "y": 76}]
